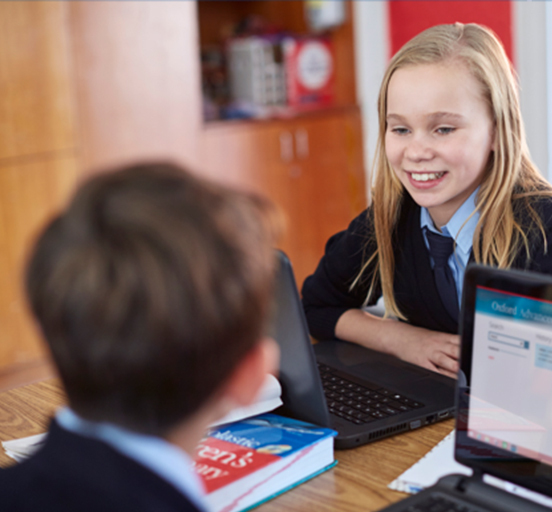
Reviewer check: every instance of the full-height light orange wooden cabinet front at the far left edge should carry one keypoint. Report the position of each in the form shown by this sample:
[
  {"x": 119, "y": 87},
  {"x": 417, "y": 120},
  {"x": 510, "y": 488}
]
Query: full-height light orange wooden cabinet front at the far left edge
[{"x": 38, "y": 152}]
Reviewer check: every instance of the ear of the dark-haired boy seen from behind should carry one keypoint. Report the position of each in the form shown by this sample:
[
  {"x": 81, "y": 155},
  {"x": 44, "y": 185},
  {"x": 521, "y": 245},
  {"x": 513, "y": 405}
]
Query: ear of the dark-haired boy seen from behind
[{"x": 244, "y": 385}]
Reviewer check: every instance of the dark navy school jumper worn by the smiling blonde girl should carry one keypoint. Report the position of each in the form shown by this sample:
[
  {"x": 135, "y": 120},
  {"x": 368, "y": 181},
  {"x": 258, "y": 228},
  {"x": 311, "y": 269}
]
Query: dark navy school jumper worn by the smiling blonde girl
[{"x": 327, "y": 294}]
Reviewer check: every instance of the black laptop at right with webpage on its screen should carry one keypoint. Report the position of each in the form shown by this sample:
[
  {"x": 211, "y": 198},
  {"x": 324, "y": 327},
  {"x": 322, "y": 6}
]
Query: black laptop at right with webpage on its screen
[{"x": 504, "y": 398}]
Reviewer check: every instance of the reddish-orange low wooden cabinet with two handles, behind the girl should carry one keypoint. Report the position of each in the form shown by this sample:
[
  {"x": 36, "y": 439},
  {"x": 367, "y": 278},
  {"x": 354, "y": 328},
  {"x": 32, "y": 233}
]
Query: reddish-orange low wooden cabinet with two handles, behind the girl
[{"x": 310, "y": 166}]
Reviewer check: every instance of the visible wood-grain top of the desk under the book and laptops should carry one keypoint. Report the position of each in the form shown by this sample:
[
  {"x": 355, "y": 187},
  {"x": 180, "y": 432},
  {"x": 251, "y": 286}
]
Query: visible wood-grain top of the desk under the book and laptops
[{"x": 358, "y": 482}]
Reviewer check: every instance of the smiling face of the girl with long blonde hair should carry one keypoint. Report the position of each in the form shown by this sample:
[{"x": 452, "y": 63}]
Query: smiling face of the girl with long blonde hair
[{"x": 439, "y": 135}]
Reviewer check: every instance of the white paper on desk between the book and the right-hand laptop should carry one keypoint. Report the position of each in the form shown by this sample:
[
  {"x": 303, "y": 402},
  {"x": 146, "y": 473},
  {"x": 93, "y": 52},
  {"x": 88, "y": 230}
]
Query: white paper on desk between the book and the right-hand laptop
[{"x": 438, "y": 462}]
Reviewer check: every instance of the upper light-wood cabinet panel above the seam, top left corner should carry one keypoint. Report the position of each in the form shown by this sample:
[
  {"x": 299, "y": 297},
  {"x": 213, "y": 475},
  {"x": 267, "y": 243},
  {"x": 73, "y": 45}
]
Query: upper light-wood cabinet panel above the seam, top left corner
[{"x": 36, "y": 97}]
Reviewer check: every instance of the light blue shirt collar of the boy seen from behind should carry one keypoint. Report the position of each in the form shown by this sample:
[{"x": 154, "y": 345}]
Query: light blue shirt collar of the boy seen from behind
[{"x": 161, "y": 457}]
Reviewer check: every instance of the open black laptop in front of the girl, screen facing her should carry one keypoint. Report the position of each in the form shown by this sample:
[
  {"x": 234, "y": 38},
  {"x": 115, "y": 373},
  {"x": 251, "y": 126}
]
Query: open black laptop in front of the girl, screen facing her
[{"x": 363, "y": 394}]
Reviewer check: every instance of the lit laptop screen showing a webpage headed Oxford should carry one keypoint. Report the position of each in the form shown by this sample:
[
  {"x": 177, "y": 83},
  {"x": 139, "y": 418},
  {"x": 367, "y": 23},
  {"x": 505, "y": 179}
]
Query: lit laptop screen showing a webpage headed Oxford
[{"x": 512, "y": 382}]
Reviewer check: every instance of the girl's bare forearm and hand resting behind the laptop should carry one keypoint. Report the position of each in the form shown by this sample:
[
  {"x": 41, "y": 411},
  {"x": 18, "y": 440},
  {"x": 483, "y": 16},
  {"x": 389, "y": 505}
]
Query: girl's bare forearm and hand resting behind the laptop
[{"x": 437, "y": 351}]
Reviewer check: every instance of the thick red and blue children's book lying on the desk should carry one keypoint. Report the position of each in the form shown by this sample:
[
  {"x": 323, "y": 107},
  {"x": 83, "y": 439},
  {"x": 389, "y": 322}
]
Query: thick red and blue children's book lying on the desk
[{"x": 243, "y": 464}]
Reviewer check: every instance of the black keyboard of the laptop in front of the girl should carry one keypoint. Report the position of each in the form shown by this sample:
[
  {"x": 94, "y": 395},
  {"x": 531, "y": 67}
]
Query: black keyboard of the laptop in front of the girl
[{"x": 361, "y": 404}]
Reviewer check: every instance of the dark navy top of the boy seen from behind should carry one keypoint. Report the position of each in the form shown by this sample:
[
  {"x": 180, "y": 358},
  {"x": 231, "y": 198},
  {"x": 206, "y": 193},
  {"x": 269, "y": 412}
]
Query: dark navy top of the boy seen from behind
[{"x": 84, "y": 473}]
